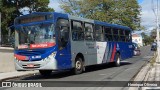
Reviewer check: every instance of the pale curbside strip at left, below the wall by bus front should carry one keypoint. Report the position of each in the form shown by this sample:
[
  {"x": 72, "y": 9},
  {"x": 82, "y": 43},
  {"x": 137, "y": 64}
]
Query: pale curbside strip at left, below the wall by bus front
[{"x": 16, "y": 74}]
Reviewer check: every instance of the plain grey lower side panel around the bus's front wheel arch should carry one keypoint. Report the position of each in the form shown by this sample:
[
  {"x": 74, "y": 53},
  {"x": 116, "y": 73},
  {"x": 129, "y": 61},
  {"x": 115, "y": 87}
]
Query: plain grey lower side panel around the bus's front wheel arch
[{"x": 89, "y": 54}]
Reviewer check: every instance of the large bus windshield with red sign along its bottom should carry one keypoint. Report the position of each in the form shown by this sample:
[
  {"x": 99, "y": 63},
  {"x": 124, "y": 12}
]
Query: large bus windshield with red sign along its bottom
[{"x": 41, "y": 35}]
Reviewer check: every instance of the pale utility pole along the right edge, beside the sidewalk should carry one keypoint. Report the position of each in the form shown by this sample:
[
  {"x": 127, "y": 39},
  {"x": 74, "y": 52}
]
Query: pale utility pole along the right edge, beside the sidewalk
[{"x": 157, "y": 20}]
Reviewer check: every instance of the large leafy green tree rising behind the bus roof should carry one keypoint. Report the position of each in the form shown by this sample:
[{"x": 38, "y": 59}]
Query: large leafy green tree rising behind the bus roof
[{"x": 124, "y": 12}]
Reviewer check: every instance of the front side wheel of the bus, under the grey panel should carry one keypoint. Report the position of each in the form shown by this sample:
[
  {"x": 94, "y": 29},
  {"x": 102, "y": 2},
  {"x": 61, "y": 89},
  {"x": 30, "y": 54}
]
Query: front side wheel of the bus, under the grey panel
[{"x": 79, "y": 66}]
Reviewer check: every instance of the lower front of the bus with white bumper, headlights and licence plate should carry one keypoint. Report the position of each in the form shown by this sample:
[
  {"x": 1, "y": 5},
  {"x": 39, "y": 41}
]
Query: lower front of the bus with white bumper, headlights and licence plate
[{"x": 42, "y": 59}]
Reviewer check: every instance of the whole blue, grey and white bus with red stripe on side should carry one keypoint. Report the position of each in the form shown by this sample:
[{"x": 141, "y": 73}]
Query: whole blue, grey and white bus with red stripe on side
[{"x": 48, "y": 41}]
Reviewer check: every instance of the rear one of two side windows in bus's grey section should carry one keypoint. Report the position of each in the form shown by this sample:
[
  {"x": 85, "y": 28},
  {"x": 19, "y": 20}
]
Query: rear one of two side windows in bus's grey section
[{"x": 88, "y": 31}]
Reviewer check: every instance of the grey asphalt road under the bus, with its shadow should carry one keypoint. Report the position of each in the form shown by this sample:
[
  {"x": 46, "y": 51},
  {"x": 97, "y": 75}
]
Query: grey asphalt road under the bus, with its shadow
[{"x": 126, "y": 72}]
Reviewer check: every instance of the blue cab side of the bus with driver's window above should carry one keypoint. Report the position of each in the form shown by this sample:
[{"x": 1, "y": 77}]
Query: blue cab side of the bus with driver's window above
[{"x": 64, "y": 47}]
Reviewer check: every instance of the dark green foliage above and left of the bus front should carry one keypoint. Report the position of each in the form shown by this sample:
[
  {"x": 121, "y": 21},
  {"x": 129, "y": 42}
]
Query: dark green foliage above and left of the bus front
[{"x": 10, "y": 9}]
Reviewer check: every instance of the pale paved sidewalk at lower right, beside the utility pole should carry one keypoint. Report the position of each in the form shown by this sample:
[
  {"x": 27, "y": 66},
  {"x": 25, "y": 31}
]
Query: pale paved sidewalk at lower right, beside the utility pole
[{"x": 150, "y": 72}]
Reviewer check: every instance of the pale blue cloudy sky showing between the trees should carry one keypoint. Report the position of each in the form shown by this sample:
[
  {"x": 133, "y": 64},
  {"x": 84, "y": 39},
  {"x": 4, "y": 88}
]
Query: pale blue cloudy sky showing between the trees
[{"x": 147, "y": 16}]
